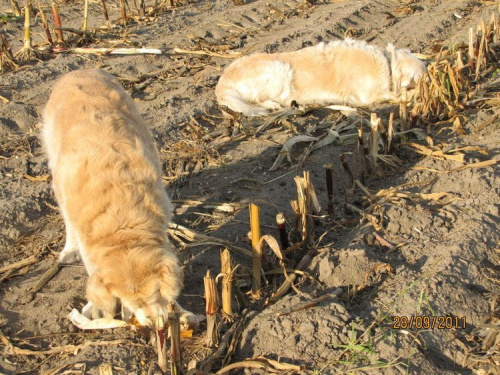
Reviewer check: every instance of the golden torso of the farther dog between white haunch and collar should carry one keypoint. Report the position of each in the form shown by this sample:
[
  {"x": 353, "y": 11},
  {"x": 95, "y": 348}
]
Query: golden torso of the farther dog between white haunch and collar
[{"x": 348, "y": 72}]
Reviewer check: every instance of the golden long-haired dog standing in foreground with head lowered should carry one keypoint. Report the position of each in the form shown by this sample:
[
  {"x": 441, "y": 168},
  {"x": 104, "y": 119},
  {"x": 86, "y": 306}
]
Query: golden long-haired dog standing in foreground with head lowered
[{"x": 107, "y": 182}]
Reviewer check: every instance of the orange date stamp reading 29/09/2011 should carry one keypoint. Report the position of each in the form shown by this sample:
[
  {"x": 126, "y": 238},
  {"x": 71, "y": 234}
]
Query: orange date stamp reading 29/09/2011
[{"x": 428, "y": 322}]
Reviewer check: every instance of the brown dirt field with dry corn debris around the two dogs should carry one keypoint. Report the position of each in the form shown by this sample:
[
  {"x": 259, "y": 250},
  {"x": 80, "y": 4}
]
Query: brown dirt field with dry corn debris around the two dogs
[{"x": 445, "y": 253}]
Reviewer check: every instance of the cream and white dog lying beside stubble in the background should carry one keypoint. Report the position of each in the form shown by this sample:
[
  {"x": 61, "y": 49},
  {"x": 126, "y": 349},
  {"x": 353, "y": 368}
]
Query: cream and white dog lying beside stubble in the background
[{"x": 348, "y": 72}]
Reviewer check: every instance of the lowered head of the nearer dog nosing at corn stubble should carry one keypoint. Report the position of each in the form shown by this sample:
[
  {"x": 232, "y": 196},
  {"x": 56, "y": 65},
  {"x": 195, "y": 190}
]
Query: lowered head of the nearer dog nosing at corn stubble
[{"x": 146, "y": 282}]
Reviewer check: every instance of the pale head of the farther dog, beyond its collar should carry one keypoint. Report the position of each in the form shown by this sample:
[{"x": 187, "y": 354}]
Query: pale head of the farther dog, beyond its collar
[{"x": 406, "y": 68}]
